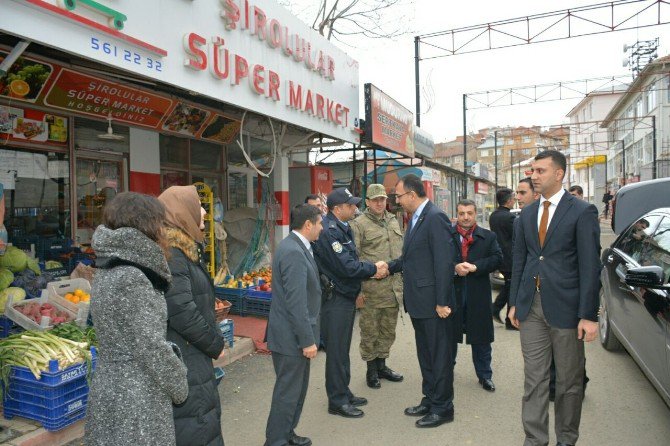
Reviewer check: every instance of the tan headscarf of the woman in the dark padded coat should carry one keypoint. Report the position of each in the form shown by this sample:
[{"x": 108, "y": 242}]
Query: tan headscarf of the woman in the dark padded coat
[{"x": 182, "y": 210}]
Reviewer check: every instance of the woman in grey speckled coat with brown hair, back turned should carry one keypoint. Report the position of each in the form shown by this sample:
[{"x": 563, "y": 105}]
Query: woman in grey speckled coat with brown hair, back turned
[{"x": 138, "y": 375}]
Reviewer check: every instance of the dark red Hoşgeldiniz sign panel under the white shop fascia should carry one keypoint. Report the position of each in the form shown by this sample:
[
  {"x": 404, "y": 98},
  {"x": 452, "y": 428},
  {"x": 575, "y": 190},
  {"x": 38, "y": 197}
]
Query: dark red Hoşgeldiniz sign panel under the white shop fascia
[{"x": 81, "y": 93}]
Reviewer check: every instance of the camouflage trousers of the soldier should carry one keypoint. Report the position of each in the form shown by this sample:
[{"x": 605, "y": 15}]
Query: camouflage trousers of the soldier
[{"x": 377, "y": 331}]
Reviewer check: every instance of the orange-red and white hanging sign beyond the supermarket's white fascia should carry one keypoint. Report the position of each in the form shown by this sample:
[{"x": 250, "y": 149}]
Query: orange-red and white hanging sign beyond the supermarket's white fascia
[{"x": 387, "y": 123}]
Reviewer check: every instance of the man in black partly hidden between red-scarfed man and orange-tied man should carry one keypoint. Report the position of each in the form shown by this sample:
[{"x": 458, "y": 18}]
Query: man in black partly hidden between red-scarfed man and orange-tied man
[{"x": 501, "y": 223}]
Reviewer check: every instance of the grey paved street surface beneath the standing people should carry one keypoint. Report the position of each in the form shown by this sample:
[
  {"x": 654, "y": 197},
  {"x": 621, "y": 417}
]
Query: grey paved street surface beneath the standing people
[{"x": 621, "y": 406}]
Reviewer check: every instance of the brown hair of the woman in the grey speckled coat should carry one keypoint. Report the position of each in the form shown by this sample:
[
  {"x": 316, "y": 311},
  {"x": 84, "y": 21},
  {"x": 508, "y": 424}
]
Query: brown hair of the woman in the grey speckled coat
[{"x": 139, "y": 211}]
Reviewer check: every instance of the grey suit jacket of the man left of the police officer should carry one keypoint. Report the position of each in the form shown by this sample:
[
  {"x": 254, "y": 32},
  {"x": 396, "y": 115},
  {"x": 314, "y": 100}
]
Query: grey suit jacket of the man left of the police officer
[{"x": 296, "y": 299}]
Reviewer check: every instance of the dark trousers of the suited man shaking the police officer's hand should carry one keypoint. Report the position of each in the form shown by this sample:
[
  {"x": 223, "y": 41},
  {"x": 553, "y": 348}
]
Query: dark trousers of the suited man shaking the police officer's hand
[{"x": 435, "y": 350}]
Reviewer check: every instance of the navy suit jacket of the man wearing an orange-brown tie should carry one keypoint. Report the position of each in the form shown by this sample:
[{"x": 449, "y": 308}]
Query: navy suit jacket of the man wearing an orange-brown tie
[{"x": 568, "y": 263}]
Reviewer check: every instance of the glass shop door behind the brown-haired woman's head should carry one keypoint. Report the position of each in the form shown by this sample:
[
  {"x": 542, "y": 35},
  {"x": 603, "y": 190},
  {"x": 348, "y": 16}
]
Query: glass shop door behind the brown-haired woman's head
[{"x": 99, "y": 179}]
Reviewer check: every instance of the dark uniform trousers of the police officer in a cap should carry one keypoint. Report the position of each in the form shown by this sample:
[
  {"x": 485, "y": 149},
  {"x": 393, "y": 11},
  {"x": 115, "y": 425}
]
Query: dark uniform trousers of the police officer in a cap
[{"x": 337, "y": 325}]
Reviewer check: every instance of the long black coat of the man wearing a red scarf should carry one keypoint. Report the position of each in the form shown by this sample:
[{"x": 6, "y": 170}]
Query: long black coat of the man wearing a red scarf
[{"x": 474, "y": 290}]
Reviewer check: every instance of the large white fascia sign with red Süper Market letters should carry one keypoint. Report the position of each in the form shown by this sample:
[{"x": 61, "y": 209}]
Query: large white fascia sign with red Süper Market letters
[{"x": 252, "y": 54}]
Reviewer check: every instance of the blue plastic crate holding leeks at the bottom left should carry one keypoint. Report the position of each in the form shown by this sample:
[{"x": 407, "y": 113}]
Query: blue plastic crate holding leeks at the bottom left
[{"x": 57, "y": 399}]
